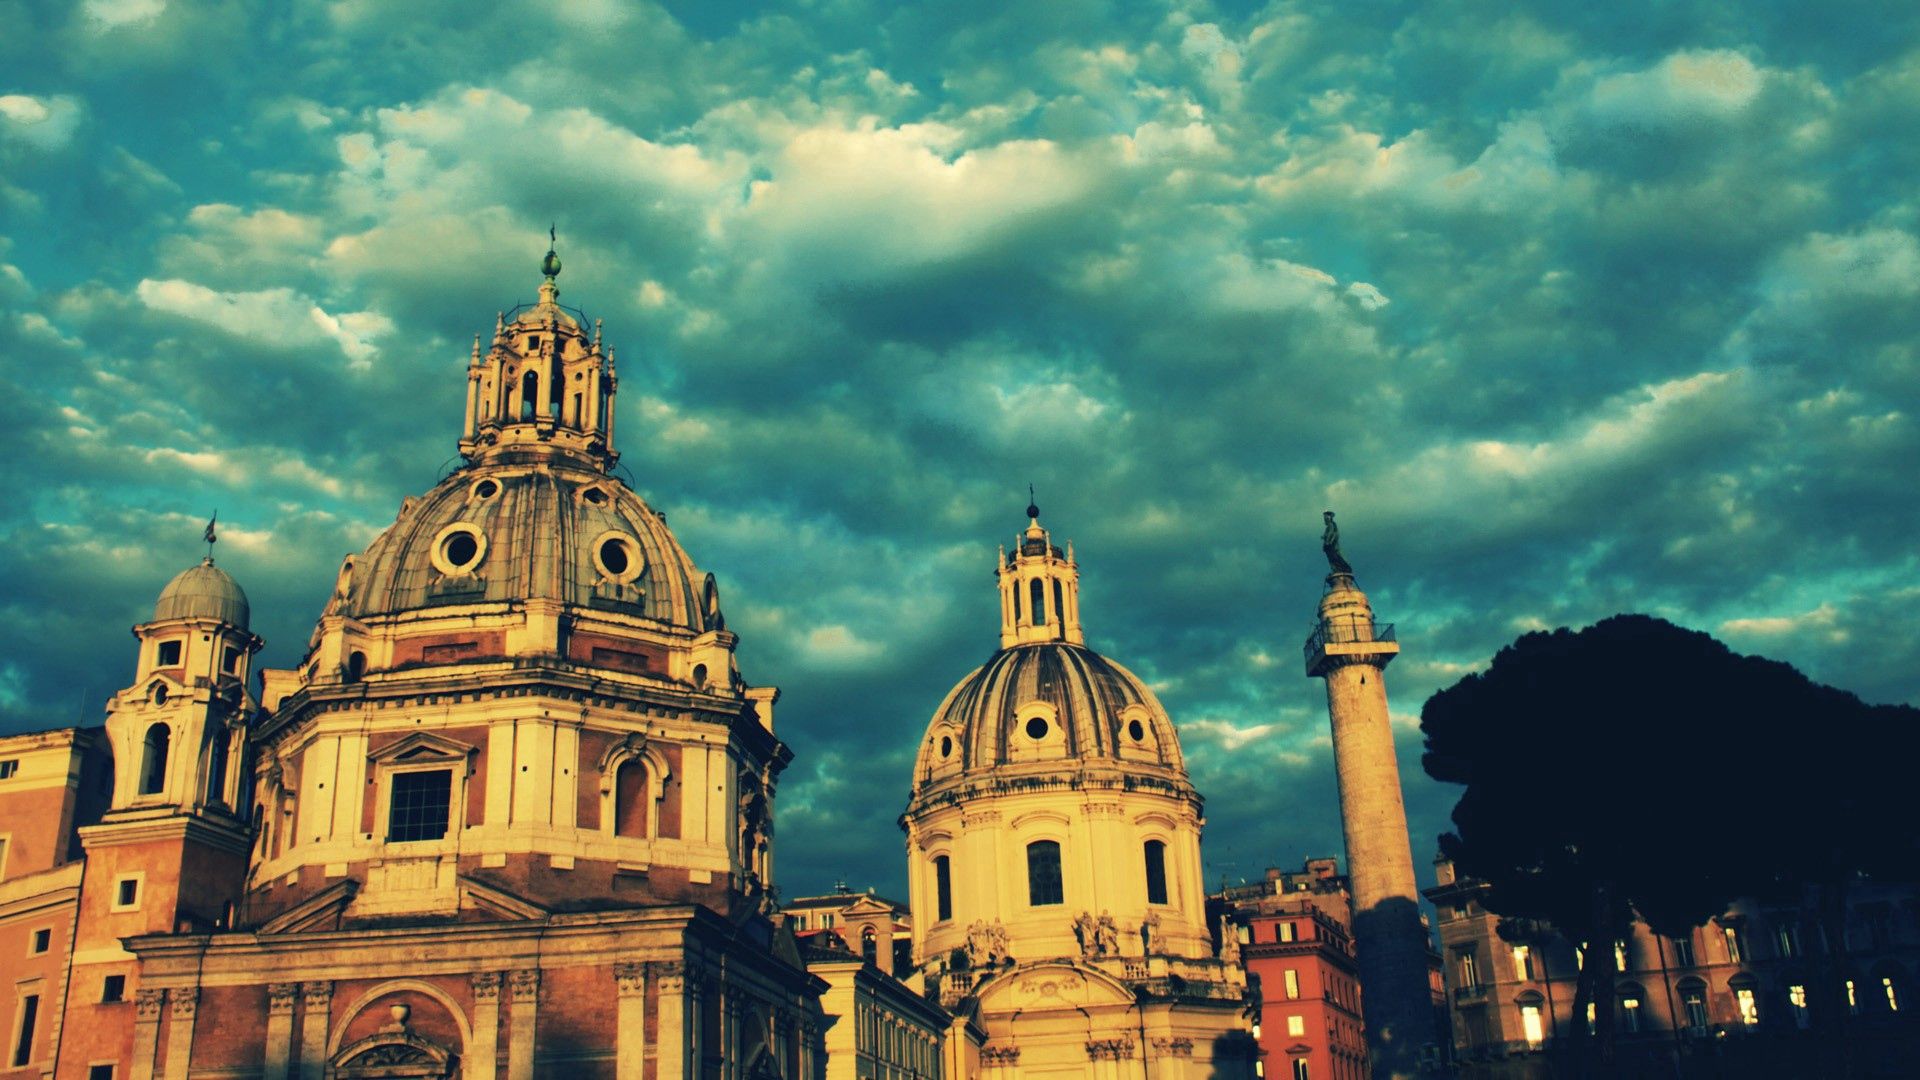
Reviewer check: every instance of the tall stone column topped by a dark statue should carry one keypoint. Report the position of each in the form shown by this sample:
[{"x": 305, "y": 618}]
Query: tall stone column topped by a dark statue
[{"x": 1351, "y": 652}]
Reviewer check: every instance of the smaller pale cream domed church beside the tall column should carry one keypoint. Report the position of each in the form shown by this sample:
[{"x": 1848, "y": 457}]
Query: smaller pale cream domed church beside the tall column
[{"x": 1055, "y": 858}]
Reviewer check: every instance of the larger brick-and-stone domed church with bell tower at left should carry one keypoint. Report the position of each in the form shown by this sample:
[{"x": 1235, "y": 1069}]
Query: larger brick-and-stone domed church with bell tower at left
[{"x": 512, "y": 816}]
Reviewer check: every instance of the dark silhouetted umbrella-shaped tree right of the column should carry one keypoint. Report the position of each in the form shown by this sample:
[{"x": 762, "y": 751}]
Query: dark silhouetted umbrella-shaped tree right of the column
[{"x": 1643, "y": 768}]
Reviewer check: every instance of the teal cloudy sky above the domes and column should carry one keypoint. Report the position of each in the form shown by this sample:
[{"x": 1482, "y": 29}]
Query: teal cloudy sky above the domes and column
[{"x": 1568, "y": 308}]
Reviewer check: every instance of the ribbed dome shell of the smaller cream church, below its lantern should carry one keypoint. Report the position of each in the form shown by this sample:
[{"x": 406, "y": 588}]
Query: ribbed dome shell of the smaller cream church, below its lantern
[{"x": 1092, "y": 708}]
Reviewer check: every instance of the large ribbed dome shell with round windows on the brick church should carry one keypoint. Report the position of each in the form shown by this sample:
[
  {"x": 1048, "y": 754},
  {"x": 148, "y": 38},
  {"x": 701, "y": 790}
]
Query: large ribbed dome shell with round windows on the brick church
[{"x": 510, "y": 533}]
